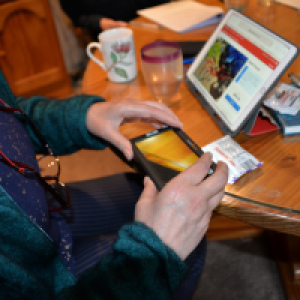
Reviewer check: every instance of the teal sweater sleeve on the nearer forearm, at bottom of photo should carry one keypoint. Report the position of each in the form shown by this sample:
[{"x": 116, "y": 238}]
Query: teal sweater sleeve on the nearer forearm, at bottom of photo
[{"x": 141, "y": 267}]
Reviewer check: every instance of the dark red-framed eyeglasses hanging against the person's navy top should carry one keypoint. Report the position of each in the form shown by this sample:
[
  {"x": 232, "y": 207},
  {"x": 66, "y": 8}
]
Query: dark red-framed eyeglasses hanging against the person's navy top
[{"x": 50, "y": 165}]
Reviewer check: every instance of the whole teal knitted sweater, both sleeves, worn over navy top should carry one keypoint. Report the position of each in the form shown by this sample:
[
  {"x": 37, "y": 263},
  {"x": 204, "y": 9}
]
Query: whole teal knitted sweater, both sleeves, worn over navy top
[{"x": 141, "y": 266}]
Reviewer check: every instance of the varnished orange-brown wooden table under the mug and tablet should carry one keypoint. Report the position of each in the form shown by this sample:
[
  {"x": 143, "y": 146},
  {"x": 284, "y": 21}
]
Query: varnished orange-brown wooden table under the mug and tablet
[{"x": 268, "y": 197}]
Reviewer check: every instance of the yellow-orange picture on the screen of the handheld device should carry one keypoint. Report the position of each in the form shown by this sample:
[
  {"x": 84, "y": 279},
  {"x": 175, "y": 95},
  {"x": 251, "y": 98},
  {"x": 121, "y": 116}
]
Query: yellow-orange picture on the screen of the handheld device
[{"x": 168, "y": 150}]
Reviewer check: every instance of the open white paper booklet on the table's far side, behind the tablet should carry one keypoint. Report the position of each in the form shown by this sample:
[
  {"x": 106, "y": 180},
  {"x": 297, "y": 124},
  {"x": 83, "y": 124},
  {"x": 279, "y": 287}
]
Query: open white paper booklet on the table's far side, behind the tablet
[{"x": 182, "y": 16}]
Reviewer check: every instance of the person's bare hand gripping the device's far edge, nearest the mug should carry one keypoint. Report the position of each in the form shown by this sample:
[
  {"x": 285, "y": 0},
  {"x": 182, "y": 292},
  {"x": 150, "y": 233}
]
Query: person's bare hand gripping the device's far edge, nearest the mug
[{"x": 104, "y": 119}]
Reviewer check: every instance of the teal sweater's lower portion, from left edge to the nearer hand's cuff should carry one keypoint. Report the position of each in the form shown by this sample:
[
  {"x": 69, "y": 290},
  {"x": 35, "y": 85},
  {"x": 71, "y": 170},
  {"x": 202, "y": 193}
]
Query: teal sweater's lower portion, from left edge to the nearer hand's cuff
[{"x": 140, "y": 263}]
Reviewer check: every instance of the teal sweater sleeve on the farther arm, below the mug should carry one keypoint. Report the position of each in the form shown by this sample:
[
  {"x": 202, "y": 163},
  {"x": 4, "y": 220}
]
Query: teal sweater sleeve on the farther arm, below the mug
[{"x": 61, "y": 122}]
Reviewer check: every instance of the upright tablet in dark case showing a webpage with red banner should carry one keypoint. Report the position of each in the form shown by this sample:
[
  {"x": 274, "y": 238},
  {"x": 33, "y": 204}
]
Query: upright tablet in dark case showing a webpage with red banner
[{"x": 238, "y": 66}]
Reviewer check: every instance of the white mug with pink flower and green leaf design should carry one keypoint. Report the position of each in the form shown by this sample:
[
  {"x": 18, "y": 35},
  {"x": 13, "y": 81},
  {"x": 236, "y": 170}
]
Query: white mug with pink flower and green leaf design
[{"x": 118, "y": 52}]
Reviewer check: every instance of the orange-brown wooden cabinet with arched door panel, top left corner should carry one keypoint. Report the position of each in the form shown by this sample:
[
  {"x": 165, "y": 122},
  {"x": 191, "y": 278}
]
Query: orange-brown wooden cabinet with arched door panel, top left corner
[{"x": 30, "y": 55}]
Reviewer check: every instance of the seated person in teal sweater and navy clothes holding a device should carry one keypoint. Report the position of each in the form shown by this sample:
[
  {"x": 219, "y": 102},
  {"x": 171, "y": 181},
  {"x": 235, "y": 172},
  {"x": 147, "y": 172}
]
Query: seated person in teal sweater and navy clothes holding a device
[{"x": 109, "y": 238}]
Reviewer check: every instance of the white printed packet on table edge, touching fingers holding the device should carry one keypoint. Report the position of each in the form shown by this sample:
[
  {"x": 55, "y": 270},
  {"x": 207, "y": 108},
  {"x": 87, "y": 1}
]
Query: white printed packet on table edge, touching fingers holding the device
[{"x": 239, "y": 161}]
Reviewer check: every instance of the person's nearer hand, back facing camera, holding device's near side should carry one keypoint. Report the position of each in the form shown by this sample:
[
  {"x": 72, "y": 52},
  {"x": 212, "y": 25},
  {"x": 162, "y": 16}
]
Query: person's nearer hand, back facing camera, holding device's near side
[{"x": 181, "y": 212}]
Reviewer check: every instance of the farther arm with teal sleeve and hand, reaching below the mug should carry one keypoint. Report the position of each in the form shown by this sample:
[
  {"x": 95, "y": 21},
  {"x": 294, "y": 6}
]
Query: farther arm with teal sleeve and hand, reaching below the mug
[{"x": 89, "y": 122}]
